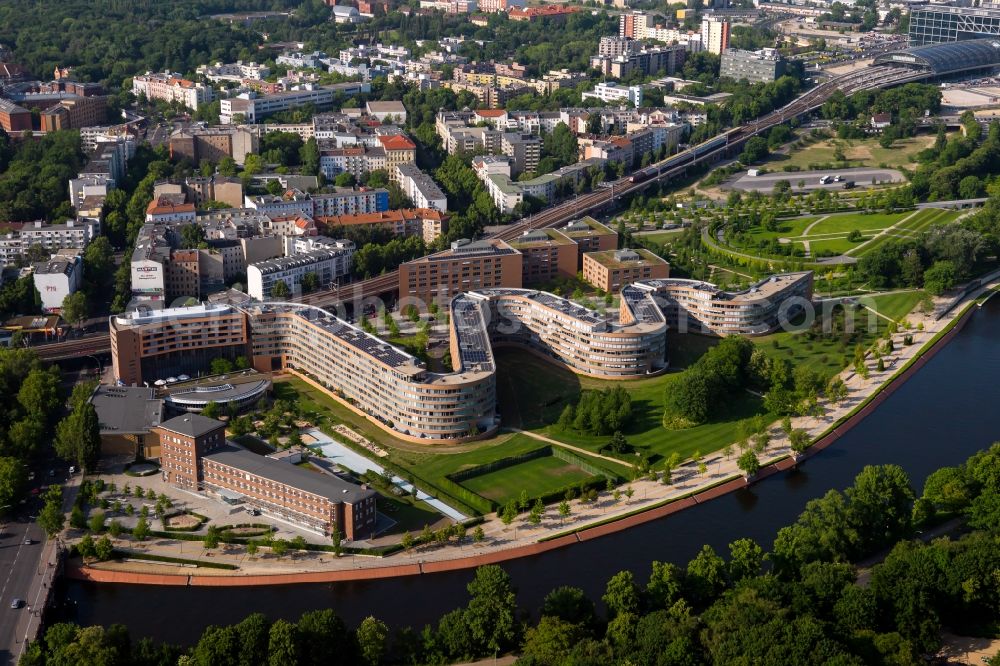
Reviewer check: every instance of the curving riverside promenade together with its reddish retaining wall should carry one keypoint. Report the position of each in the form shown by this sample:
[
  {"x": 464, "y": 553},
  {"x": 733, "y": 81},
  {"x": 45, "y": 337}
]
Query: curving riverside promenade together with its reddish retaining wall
[{"x": 640, "y": 501}]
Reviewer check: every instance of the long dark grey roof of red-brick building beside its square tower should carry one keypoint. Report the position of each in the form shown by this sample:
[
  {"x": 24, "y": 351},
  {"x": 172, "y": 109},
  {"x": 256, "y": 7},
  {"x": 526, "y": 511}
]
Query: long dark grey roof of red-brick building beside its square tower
[{"x": 328, "y": 486}]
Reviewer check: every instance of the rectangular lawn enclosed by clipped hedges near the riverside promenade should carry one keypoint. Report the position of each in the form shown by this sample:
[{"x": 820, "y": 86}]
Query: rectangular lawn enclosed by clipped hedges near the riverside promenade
[{"x": 537, "y": 477}]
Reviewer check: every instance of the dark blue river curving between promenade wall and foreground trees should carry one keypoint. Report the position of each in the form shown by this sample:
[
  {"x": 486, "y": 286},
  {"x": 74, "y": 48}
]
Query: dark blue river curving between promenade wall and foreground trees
[{"x": 939, "y": 417}]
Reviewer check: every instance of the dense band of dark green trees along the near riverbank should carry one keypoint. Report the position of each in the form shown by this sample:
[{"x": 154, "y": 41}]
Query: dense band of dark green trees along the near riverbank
[{"x": 718, "y": 608}]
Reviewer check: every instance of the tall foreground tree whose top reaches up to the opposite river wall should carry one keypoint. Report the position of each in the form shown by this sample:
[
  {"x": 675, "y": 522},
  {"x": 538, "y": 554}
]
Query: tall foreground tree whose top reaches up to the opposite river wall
[{"x": 491, "y": 612}]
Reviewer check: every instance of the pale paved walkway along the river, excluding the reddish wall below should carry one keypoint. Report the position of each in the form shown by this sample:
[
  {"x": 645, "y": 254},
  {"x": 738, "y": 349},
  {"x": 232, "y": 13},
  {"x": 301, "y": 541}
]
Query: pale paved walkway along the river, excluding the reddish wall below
[{"x": 647, "y": 494}]
